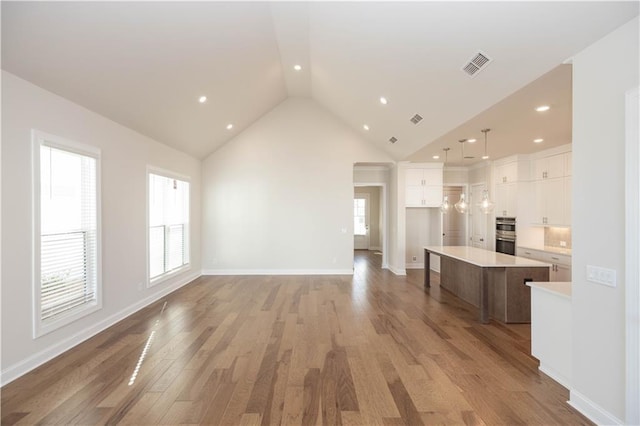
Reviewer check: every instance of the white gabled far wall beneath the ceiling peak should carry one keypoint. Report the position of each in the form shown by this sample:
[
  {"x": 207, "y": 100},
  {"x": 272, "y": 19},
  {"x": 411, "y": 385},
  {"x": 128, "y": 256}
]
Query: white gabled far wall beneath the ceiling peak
[{"x": 278, "y": 197}]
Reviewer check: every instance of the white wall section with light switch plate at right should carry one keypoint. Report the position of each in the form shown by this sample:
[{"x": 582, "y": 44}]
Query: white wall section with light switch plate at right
[{"x": 602, "y": 74}]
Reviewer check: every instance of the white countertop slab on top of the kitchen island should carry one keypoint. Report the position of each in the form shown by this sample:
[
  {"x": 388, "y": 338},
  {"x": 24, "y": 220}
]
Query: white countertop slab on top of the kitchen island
[{"x": 484, "y": 258}]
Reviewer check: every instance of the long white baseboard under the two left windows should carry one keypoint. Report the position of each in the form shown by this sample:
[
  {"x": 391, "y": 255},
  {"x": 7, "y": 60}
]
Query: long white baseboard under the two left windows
[{"x": 14, "y": 371}]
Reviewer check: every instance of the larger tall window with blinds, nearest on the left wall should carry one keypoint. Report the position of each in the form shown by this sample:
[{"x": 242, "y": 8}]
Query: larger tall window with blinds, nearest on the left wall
[{"x": 66, "y": 232}]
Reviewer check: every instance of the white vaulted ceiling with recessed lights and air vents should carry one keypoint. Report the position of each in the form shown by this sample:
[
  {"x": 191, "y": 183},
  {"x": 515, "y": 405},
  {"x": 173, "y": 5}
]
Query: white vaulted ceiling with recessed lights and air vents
[{"x": 144, "y": 64}]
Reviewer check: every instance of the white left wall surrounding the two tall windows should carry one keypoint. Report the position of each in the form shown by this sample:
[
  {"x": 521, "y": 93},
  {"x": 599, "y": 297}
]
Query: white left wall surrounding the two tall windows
[{"x": 125, "y": 155}]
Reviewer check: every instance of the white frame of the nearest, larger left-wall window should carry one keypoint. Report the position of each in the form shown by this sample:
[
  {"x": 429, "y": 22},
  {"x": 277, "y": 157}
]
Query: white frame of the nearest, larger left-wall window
[{"x": 39, "y": 139}]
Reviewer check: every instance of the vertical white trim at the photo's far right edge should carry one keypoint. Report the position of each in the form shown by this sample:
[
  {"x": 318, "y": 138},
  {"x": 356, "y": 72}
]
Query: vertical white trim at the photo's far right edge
[{"x": 632, "y": 257}]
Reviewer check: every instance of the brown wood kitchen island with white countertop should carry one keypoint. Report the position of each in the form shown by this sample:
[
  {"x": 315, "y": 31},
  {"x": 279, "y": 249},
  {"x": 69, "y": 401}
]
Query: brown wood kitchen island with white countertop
[{"x": 493, "y": 282}]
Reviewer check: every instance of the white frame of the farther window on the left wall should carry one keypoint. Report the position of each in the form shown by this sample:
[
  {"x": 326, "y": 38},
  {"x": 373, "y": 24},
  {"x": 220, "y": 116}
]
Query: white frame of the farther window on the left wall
[{"x": 150, "y": 282}]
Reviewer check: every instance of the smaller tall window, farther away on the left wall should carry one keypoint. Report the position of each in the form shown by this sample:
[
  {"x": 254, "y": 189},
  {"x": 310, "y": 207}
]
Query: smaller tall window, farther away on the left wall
[{"x": 168, "y": 226}]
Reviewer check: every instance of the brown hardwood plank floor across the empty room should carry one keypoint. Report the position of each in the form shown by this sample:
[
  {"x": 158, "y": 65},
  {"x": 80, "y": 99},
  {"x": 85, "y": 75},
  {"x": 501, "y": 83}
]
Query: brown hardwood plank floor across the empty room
[{"x": 245, "y": 350}]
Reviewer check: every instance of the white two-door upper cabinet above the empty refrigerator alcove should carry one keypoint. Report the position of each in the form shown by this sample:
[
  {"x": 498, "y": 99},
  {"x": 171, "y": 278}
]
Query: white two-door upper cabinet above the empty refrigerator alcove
[{"x": 423, "y": 185}]
